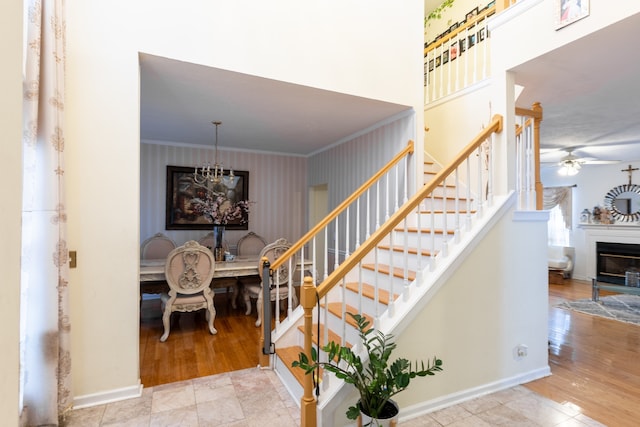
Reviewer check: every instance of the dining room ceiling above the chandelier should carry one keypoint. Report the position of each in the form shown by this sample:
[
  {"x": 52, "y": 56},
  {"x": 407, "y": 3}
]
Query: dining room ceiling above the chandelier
[{"x": 179, "y": 100}]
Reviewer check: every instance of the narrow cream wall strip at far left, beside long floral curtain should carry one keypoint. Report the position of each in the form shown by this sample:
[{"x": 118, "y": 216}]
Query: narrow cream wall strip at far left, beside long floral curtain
[{"x": 10, "y": 215}]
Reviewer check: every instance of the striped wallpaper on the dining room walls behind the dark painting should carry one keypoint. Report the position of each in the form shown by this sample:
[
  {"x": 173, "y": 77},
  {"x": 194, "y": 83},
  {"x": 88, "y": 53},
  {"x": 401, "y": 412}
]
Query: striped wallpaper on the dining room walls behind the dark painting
[{"x": 277, "y": 183}]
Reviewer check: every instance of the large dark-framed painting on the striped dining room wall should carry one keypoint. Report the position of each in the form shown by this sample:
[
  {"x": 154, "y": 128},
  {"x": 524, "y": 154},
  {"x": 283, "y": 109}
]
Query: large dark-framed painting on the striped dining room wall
[{"x": 182, "y": 190}]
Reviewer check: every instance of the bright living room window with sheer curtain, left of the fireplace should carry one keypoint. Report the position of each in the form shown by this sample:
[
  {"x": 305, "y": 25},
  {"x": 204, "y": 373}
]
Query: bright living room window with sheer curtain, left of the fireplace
[{"x": 558, "y": 201}]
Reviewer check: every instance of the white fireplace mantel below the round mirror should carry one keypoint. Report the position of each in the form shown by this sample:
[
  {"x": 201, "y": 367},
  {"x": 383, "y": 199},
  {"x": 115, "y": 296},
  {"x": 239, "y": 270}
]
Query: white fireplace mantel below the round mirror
[{"x": 611, "y": 233}]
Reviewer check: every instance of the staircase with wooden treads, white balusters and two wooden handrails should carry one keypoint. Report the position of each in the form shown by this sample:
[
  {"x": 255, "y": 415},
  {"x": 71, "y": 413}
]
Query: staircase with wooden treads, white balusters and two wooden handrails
[{"x": 384, "y": 277}]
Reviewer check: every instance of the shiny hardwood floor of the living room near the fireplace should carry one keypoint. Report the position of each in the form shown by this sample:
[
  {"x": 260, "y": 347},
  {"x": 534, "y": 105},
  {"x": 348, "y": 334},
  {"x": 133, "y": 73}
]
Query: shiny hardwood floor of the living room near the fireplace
[{"x": 595, "y": 362}]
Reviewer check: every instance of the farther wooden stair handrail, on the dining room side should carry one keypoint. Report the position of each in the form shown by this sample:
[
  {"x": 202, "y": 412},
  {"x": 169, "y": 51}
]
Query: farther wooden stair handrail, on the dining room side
[{"x": 341, "y": 207}]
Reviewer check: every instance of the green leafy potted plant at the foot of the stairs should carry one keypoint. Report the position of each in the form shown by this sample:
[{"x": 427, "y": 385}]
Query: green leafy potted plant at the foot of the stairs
[{"x": 376, "y": 380}]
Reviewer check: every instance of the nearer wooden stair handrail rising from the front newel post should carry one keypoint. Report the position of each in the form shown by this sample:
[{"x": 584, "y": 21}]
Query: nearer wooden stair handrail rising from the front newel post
[{"x": 375, "y": 238}]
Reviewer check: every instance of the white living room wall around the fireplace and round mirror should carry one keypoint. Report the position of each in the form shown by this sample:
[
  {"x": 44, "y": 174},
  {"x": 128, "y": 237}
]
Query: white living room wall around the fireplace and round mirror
[{"x": 592, "y": 184}]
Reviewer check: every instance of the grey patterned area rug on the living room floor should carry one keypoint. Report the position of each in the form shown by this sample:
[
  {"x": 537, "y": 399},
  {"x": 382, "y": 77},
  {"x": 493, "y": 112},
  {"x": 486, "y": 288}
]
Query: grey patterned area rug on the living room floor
[{"x": 625, "y": 308}]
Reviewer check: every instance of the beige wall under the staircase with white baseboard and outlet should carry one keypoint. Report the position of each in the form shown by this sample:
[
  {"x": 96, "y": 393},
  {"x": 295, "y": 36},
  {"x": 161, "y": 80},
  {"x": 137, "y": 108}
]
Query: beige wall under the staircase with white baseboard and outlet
[{"x": 490, "y": 301}]
